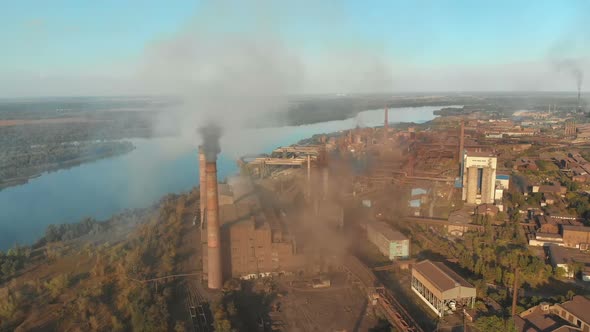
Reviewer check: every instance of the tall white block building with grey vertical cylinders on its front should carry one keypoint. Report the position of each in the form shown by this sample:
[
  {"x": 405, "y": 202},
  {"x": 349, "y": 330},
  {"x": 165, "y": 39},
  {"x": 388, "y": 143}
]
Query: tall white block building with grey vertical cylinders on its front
[{"x": 479, "y": 177}]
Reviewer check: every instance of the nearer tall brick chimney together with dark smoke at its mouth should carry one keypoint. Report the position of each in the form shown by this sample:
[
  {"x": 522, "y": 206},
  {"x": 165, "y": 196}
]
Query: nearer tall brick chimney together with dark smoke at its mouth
[{"x": 211, "y": 135}]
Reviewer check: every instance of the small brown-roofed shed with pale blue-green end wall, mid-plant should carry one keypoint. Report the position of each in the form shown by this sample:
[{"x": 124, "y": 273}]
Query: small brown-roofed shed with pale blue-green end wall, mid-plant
[{"x": 391, "y": 243}]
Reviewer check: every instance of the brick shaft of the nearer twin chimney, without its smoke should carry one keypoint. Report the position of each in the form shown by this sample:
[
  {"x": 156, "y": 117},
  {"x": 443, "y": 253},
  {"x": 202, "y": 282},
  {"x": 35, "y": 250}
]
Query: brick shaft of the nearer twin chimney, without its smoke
[{"x": 215, "y": 279}]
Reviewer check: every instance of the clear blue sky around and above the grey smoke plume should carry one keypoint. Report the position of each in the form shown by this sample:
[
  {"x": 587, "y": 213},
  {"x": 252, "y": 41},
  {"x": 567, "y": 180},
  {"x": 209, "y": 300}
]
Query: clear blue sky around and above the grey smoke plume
[{"x": 84, "y": 39}]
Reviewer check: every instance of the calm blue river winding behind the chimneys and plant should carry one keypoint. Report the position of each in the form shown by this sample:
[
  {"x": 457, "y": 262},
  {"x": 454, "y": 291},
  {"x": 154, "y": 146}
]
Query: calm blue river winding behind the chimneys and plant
[{"x": 155, "y": 168}]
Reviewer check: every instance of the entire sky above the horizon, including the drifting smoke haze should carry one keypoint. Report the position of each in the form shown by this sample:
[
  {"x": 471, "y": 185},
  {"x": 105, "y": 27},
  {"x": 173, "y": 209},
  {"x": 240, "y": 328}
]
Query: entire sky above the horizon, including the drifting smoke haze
[{"x": 328, "y": 47}]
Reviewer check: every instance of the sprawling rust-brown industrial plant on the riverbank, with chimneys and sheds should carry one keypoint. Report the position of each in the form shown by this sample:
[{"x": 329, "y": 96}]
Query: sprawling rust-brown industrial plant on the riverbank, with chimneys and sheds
[{"x": 295, "y": 215}]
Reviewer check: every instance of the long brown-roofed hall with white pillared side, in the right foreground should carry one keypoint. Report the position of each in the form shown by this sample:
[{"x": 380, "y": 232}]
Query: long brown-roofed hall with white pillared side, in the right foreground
[{"x": 441, "y": 288}]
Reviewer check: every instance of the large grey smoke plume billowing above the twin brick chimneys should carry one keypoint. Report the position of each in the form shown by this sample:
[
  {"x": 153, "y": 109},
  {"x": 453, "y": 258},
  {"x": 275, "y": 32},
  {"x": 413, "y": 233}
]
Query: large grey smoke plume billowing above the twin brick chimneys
[{"x": 232, "y": 67}]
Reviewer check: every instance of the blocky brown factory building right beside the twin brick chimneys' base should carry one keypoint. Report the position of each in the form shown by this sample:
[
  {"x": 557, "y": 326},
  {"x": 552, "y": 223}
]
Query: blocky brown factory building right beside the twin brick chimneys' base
[{"x": 253, "y": 241}]
